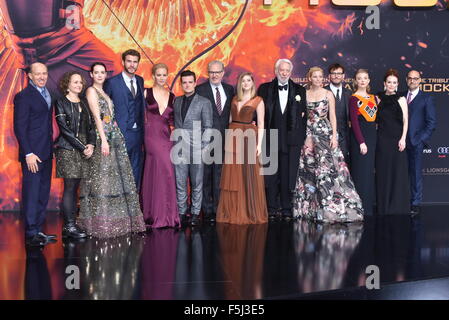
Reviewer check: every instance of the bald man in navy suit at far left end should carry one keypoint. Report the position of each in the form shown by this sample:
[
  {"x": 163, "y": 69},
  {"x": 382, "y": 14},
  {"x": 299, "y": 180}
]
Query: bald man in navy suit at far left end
[{"x": 33, "y": 130}]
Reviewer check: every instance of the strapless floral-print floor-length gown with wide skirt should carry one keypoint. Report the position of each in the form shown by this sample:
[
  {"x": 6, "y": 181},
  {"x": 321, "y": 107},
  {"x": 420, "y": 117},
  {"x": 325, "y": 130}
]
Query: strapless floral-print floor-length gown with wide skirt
[{"x": 324, "y": 189}]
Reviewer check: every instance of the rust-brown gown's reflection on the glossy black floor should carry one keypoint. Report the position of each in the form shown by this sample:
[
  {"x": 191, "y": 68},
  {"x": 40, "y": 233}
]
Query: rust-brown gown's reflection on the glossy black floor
[{"x": 242, "y": 249}]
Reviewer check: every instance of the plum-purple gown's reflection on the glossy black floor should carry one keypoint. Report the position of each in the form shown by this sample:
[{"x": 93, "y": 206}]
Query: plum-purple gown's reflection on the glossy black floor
[{"x": 159, "y": 264}]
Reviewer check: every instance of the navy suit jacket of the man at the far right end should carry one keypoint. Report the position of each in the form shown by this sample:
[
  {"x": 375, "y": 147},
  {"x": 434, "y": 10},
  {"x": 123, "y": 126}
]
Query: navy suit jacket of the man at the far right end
[{"x": 421, "y": 118}]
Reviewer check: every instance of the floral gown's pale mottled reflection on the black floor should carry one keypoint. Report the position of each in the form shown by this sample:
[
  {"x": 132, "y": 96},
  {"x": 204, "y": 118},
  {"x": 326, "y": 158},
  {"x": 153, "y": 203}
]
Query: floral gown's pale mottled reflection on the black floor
[{"x": 323, "y": 253}]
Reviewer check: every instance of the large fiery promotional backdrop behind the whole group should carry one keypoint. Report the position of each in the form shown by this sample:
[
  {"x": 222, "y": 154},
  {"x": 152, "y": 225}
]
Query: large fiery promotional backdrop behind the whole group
[{"x": 245, "y": 35}]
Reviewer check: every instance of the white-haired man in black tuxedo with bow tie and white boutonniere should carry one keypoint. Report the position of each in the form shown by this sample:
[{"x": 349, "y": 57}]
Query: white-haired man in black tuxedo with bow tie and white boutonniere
[{"x": 285, "y": 111}]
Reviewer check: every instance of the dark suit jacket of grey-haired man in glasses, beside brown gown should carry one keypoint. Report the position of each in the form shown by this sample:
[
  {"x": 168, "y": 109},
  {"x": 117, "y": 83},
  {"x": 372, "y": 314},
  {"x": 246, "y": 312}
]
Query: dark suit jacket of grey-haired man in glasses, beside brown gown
[{"x": 220, "y": 122}]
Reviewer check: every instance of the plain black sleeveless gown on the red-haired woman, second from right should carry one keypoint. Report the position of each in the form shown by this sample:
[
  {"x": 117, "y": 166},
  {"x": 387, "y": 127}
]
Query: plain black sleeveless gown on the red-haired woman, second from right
[{"x": 392, "y": 182}]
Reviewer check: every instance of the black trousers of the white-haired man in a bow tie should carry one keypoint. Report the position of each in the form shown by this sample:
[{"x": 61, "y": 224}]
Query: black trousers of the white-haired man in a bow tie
[{"x": 279, "y": 196}]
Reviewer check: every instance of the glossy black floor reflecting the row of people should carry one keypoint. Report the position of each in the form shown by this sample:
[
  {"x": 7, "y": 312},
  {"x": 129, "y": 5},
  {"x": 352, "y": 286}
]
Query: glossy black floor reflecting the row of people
[{"x": 273, "y": 261}]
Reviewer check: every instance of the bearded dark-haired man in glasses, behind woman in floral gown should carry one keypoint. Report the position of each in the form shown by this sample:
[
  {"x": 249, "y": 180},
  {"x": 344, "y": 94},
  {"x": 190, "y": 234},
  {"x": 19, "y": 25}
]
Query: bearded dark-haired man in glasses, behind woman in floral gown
[{"x": 342, "y": 96}]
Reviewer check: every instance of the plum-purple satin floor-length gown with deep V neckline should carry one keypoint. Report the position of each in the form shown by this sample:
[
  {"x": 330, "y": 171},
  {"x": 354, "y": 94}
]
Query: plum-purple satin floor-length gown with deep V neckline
[{"x": 158, "y": 193}]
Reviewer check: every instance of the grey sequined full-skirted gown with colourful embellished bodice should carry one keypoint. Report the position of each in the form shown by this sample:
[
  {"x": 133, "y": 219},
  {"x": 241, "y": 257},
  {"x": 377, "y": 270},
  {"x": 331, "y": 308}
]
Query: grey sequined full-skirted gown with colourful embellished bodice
[{"x": 109, "y": 203}]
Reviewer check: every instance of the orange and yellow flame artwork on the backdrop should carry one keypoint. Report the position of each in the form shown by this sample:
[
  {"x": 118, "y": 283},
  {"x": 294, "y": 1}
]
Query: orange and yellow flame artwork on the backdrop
[{"x": 242, "y": 34}]
